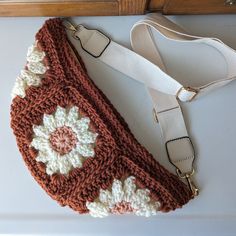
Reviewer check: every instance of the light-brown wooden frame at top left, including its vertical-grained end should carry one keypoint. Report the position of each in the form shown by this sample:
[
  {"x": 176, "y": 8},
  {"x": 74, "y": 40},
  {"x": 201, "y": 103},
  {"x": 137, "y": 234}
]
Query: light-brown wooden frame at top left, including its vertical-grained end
[{"x": 71, "y": 7}]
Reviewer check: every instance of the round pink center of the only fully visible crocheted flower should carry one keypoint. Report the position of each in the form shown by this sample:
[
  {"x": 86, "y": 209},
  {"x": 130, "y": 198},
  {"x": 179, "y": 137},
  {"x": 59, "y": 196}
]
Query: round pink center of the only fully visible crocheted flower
[{"x": 63, "y": 140}]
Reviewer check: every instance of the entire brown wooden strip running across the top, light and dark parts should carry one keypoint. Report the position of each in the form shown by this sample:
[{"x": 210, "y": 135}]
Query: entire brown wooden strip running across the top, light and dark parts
[{"x": 111, "y": 7}]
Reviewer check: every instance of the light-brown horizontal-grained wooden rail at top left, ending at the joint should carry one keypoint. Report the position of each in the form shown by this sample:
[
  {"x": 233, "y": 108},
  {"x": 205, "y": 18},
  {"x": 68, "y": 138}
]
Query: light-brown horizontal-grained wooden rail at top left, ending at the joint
[{"x": 59, "y": 8}]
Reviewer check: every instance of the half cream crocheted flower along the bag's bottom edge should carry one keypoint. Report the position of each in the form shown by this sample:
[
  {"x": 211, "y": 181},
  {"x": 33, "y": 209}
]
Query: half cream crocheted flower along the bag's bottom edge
[{"x": 124, "y": 197}]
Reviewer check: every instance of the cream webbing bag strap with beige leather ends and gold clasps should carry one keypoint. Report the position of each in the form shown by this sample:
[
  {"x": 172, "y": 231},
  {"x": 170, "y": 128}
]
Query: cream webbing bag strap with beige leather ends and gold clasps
[{"x": 145, "y": 65}]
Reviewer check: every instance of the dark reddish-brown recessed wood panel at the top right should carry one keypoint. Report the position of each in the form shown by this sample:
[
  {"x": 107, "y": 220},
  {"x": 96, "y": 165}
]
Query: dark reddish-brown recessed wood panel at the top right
[{"x": 197, "y": 7}]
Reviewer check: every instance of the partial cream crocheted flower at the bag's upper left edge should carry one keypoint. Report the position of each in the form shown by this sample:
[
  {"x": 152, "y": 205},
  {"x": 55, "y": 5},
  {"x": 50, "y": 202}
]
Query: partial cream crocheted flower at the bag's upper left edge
[{"x": 32, "y": 75}]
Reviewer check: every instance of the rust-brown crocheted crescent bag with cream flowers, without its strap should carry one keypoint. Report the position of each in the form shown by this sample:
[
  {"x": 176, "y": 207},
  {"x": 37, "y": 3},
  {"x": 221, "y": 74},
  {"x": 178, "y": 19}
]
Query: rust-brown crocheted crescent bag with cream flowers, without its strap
[{"x": 74, "y": 142}]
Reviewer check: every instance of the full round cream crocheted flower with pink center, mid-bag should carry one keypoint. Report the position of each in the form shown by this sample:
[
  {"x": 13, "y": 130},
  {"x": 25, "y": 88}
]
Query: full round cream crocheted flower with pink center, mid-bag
[{"x": 63, "y": 140}]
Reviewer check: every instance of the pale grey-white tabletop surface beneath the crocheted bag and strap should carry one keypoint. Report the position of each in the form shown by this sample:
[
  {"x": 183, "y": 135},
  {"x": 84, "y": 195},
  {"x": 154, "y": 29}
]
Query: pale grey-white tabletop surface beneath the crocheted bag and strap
[{"x": 26, "y": 208}]
